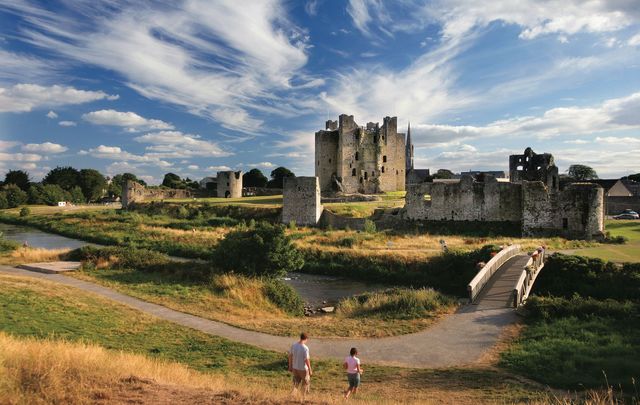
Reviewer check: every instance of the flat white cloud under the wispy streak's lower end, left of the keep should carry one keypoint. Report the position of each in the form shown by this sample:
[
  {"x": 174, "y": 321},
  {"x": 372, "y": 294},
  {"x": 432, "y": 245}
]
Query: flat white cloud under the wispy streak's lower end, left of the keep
[{"x": 175, "y": 144}]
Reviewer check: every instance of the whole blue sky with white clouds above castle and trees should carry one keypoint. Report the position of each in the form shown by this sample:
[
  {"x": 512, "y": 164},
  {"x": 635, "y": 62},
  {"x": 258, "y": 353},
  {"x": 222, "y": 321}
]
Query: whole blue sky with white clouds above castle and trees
[{"x": 197, "y": 86}]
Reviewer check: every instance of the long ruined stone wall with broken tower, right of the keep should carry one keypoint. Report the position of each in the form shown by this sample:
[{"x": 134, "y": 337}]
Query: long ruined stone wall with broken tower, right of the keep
[{"x": 532, "y": 199}]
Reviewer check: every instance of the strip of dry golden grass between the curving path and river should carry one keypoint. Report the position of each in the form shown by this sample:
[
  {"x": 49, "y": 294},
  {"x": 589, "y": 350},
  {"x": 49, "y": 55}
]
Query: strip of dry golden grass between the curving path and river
[{"x": 241, "y": 302}]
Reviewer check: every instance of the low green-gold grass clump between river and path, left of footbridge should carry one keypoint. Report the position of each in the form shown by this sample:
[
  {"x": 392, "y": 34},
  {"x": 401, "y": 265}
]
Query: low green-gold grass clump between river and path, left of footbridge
[{"x": 396, "y": 303}]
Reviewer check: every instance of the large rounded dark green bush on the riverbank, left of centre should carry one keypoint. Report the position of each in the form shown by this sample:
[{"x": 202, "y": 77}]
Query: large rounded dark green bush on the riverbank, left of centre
[{"x": 263, "y": 251}]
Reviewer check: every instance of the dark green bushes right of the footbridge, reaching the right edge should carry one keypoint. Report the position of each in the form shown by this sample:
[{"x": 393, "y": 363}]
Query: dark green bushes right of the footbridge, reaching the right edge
[{"x": 565, "y": 275}]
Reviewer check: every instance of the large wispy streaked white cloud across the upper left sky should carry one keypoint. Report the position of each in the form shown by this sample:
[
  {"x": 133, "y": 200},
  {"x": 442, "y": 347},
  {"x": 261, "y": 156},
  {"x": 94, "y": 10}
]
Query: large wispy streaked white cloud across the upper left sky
[{"x": 220, "y": 59}]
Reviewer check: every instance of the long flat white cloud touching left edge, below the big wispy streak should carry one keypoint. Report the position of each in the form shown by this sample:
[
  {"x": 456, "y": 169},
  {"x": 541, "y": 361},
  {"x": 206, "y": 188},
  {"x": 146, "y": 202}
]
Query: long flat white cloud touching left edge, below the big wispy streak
[{"x": 26, "y": 97}]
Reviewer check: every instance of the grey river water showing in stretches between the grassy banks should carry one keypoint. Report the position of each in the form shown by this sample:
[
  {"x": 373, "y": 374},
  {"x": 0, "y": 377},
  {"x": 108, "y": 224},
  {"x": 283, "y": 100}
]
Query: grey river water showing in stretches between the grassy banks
[{"x": 317, "y": 291}]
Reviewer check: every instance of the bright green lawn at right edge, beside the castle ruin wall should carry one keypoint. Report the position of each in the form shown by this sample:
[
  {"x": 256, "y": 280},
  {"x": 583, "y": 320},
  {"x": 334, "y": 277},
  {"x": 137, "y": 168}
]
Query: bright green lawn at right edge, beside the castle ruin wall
[{"x": 628, "y": 252}]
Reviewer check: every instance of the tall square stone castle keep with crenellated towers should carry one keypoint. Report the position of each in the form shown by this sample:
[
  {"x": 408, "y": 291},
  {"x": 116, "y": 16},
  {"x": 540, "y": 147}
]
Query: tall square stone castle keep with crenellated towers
[{"x": 355, "y": 159}]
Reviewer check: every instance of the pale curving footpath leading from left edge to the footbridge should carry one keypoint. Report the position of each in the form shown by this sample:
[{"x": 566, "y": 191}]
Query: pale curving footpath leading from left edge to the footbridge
[{"x": 457, "y": 340}]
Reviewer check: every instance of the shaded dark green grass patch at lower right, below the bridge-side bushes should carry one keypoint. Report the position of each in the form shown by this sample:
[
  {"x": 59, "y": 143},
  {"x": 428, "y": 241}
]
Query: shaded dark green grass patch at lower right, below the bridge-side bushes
[{"x": 575, "y": 353}]
